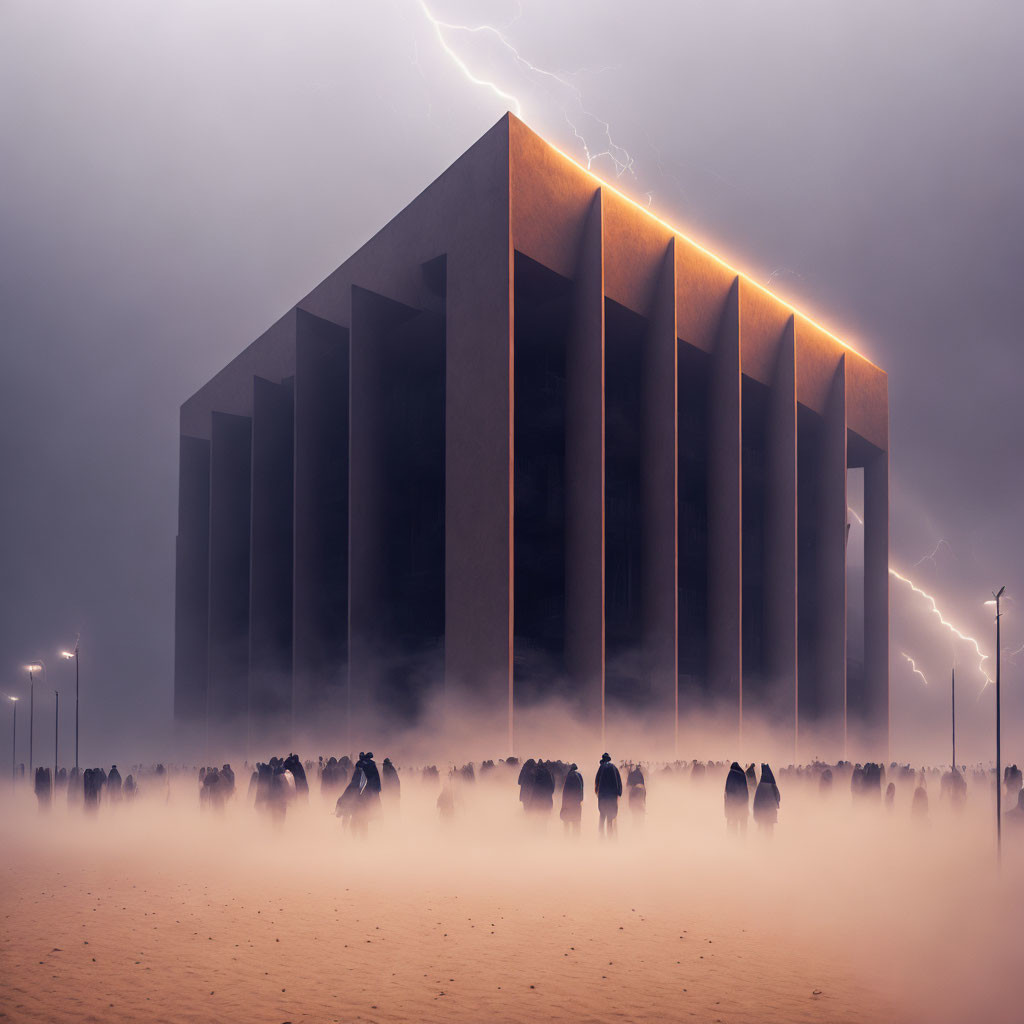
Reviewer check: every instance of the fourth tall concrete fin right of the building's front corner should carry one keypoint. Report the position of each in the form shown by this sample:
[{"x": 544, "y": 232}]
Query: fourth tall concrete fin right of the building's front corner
[{"x": 781, "y": 540}]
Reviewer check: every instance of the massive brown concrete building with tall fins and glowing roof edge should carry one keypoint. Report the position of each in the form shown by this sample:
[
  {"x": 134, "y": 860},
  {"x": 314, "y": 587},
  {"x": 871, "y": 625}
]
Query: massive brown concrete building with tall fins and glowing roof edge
[{"x": 530, "y": 441}]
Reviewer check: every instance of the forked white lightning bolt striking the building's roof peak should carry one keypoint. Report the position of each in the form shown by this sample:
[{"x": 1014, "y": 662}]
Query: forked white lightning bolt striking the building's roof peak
[{"x": 620, "y": 158}]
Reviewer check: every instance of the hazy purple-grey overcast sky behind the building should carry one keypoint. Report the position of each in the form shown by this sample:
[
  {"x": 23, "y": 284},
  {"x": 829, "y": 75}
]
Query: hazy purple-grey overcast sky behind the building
[{"x": 176, "y": 176}]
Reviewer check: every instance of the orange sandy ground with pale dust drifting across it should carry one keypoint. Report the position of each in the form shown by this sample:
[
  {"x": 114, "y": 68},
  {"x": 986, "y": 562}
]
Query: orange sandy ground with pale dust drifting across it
[{"x": 155, "y": 913}]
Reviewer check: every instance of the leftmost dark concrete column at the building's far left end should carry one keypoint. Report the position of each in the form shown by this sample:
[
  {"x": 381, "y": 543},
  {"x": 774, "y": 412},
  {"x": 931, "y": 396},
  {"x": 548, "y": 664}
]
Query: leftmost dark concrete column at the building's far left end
[{"x": 192, "y": 596}]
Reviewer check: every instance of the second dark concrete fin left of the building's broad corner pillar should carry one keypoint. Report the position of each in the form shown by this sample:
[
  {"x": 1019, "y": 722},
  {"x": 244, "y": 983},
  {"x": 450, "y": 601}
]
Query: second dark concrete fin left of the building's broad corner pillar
[{"x": 320, "y": 605}]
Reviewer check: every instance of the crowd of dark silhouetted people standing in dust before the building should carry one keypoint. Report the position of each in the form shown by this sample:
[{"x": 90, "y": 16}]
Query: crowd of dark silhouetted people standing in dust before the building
[{"x": 360, "y": 792}]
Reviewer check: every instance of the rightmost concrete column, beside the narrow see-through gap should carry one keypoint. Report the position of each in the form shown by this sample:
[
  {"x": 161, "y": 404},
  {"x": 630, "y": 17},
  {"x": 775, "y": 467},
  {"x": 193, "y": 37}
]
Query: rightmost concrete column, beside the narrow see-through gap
[{"x": 877, "y": 604}]
